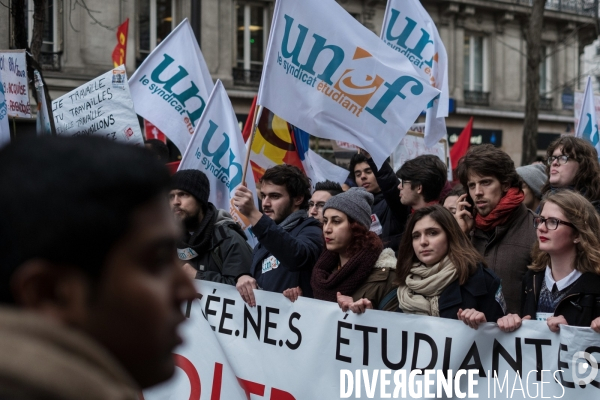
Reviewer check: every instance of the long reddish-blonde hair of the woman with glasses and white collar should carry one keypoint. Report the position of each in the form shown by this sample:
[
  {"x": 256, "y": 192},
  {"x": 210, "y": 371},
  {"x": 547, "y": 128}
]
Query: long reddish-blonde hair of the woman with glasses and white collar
[{"x": 581, "y": 213}]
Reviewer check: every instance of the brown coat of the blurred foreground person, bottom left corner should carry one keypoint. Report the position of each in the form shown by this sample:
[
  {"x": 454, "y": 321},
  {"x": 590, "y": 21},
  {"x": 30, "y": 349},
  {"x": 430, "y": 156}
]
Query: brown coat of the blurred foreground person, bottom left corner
[{"x": 42, "y": 359}]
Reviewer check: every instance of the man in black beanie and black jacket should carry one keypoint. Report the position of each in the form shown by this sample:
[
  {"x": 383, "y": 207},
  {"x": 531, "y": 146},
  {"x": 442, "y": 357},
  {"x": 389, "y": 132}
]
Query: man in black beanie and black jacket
[{"x": 214, "y": 246}]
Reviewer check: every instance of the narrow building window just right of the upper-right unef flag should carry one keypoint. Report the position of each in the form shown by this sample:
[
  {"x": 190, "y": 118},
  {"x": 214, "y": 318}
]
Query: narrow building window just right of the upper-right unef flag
[{"x": 475, "y": 63}]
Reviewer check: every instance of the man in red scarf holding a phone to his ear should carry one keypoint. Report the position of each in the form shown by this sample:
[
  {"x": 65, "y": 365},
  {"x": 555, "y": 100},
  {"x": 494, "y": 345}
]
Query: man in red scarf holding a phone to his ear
[{"x": 493, "y": 214}]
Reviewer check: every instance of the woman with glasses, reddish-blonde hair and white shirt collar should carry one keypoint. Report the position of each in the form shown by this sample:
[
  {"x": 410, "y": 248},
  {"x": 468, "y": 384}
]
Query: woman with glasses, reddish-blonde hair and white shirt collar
[{"x": 562, "y": 286}]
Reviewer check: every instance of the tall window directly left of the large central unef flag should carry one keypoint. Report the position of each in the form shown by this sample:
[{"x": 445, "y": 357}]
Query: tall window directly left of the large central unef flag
[{"x": 251, "y": 36}]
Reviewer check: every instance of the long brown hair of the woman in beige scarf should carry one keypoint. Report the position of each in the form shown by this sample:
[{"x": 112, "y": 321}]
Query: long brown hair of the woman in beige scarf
[{"x": 460, "y": 250}]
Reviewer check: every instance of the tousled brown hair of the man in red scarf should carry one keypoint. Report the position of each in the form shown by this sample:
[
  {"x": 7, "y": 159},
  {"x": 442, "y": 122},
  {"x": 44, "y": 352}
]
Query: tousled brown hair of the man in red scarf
[{"x": 487, "y": 160}]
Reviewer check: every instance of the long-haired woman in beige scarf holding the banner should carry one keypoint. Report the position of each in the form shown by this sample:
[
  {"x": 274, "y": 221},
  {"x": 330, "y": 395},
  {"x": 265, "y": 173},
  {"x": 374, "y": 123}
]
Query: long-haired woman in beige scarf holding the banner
[{"x": 442, "y": 275}]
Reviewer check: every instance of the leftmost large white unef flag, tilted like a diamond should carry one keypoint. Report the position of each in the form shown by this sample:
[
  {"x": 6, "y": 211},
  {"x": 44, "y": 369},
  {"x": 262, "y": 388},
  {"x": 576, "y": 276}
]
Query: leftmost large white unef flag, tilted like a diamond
[{"x": 172, "y": 85}]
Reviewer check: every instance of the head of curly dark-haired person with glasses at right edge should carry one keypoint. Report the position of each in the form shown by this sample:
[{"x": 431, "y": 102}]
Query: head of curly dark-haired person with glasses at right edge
[{"x": 572, "y": 164}]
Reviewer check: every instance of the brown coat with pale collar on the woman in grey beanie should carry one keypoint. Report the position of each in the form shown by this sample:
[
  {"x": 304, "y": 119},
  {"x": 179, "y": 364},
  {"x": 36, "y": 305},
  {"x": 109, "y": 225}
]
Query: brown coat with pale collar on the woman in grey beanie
[{"x": 380, "y": 283}]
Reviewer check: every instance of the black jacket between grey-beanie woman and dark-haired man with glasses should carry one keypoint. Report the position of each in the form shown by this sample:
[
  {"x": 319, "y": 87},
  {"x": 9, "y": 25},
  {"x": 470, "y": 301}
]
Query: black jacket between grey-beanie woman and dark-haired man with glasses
[{"x": 391, "y": 212}]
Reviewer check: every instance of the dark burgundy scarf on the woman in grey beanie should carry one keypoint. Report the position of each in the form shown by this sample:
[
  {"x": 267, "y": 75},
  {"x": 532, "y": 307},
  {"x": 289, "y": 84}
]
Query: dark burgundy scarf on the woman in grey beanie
[{"x": 327, "y": 280}]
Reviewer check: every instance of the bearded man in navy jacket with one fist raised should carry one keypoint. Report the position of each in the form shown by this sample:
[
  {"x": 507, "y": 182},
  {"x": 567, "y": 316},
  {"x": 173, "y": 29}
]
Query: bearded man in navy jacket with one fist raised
[{"x": 289, "y": 241}]
